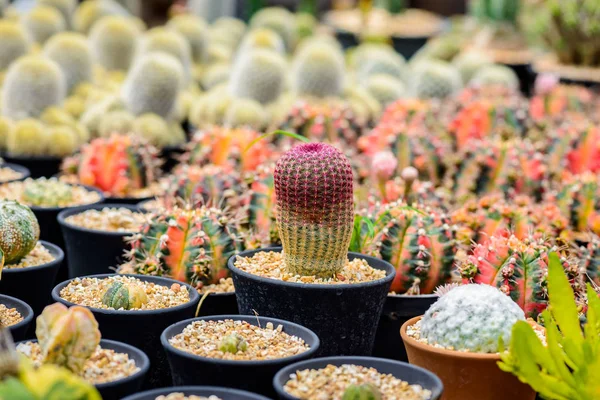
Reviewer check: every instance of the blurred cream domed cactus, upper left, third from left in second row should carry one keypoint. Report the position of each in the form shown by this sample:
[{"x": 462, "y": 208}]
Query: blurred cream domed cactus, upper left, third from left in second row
[{"x": 113, "y": 41}]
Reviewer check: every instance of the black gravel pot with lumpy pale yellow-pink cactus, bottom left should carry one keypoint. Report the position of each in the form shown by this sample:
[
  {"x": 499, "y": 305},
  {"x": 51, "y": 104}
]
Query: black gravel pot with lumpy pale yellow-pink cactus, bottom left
[{"x": 70, "y": 338}]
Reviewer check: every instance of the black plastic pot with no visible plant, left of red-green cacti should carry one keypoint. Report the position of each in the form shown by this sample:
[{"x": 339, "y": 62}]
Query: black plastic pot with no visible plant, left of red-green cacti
[{"x": 92, "y": 251}]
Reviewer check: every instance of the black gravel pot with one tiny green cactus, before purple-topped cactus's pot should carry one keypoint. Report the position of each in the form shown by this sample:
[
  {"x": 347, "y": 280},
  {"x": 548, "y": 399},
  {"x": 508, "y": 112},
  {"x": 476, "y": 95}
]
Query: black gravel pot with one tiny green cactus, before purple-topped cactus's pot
[{"x": 241, "y": 352}]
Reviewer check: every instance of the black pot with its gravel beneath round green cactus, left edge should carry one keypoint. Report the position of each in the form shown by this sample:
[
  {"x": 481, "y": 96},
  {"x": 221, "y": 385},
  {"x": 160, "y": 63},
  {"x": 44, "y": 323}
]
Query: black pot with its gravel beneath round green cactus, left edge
[{"x": 33, "y": 277}]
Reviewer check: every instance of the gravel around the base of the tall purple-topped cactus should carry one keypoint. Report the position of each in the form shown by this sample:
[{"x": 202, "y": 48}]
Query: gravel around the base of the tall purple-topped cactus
[{"x": 269, "y": 264}]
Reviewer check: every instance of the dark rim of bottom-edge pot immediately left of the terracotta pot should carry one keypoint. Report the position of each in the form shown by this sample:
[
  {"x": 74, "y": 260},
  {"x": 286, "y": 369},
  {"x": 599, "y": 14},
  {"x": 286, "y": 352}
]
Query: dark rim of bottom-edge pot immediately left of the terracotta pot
[{"x": 284, "y": 373}]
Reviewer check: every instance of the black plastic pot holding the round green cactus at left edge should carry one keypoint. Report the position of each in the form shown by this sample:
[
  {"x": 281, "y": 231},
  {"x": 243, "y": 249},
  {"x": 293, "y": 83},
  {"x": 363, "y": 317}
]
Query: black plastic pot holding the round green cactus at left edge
[{"x": 33, "y": 285}]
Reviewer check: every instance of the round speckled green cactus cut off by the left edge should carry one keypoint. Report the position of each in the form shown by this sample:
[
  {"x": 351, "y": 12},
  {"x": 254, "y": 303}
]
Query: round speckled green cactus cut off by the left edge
[{"x": 20, "y": 231}]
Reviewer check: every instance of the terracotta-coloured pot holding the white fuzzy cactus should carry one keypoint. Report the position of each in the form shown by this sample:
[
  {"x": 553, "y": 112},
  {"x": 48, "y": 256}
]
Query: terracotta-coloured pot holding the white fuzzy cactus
[{"x": 466, "y": 376}]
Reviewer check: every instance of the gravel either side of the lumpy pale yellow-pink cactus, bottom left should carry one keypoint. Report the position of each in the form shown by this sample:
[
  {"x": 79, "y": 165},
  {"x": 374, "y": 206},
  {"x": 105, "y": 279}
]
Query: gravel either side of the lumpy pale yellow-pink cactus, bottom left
[{"x": 103, "y": 366}]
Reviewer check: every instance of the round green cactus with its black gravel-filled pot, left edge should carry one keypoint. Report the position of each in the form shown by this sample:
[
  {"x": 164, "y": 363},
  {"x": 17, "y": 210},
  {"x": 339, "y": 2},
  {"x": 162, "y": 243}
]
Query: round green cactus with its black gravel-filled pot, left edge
[{"x": 29, "y": 266}]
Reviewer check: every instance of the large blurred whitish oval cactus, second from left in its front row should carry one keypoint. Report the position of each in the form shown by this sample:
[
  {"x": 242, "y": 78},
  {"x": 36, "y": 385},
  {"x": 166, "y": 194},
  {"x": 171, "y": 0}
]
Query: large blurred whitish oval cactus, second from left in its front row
[{"x": 153, "y": 84}]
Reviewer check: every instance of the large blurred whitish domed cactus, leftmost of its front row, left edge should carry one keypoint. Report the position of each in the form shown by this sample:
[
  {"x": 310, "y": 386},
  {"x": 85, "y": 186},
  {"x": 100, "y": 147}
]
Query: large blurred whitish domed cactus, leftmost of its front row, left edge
[{"x": 31, "y": 85}]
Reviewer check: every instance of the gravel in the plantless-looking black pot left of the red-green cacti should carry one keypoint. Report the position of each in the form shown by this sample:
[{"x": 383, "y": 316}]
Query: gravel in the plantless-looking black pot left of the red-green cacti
[{"x": 108, "y": 220}]
